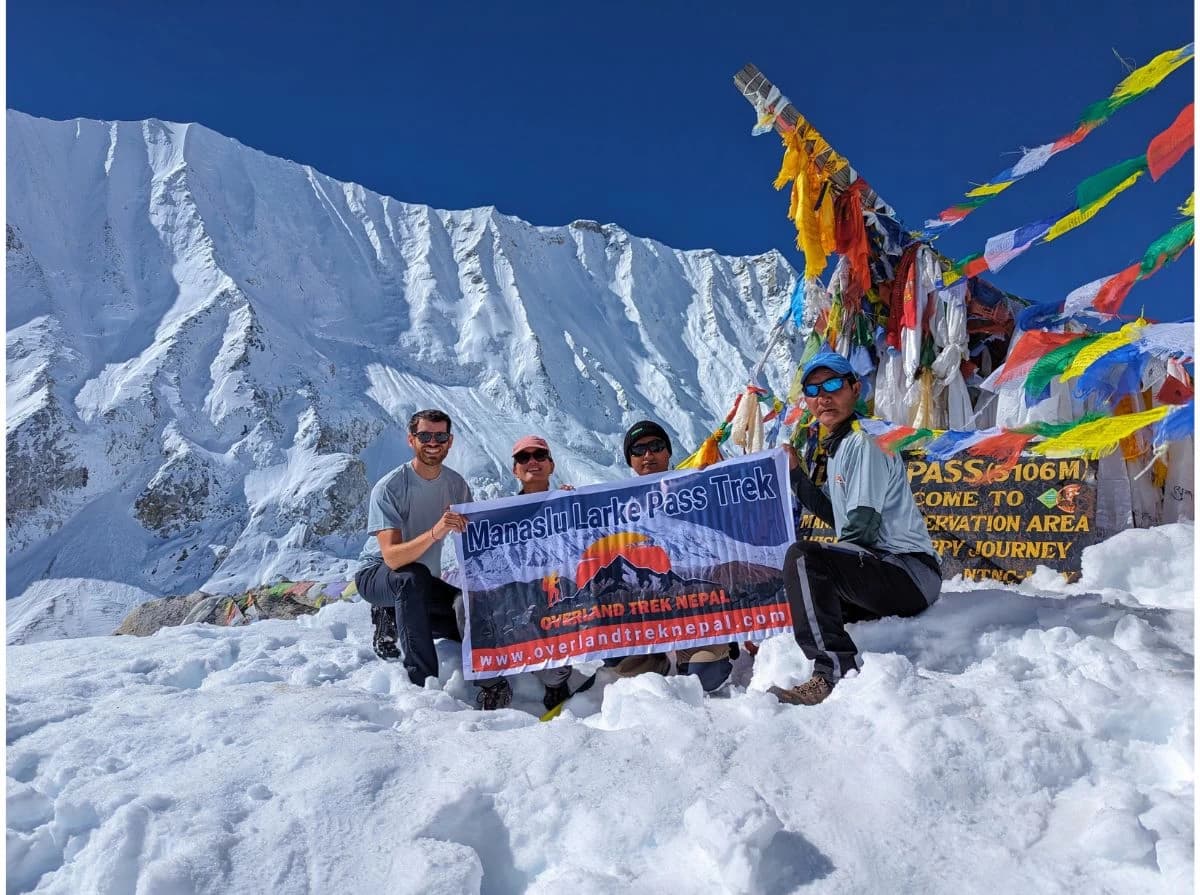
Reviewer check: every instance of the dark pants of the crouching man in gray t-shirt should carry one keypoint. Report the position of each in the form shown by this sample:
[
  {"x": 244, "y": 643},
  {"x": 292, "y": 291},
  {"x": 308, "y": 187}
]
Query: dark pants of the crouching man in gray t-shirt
[{"x": 424, "y": 606}]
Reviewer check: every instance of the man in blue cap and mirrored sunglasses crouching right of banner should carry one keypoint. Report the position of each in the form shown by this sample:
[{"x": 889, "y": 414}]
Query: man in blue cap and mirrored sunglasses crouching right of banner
[{"x": 884, "y": 561}]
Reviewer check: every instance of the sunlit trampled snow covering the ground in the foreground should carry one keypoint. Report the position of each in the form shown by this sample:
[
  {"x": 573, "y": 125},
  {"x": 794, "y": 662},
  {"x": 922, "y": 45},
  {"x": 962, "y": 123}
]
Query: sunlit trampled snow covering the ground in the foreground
[{"x": 1034, "y": 740}]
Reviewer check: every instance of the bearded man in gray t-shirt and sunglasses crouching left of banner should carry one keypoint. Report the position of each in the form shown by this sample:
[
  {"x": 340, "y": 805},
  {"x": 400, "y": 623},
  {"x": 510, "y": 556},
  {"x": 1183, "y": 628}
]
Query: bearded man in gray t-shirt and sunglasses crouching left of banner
[{"x": 400, "y": 576}]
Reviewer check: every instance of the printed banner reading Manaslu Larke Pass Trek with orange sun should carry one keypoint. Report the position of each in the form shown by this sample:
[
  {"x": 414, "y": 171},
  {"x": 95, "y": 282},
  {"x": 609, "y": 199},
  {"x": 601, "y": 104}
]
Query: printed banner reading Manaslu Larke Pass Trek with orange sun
[{"x": 645, "y": 566}]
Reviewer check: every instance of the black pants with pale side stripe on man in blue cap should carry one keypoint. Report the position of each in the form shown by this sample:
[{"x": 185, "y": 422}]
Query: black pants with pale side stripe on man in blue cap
[{"x": 831, "y": 586}]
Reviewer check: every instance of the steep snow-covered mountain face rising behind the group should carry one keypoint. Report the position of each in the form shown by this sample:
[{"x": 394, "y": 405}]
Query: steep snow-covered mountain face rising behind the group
[{"x": 213, "y": 353}]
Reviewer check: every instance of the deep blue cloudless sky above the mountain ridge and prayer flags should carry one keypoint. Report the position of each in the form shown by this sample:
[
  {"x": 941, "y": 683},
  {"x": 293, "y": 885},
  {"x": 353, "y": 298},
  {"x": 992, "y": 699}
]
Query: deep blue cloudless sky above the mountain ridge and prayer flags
[{"x": 626, "y": 112}]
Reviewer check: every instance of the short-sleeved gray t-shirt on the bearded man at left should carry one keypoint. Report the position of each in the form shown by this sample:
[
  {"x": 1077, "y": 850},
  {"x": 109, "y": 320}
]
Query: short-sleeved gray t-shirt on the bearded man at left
[{"x": 406, "y": 502}]
